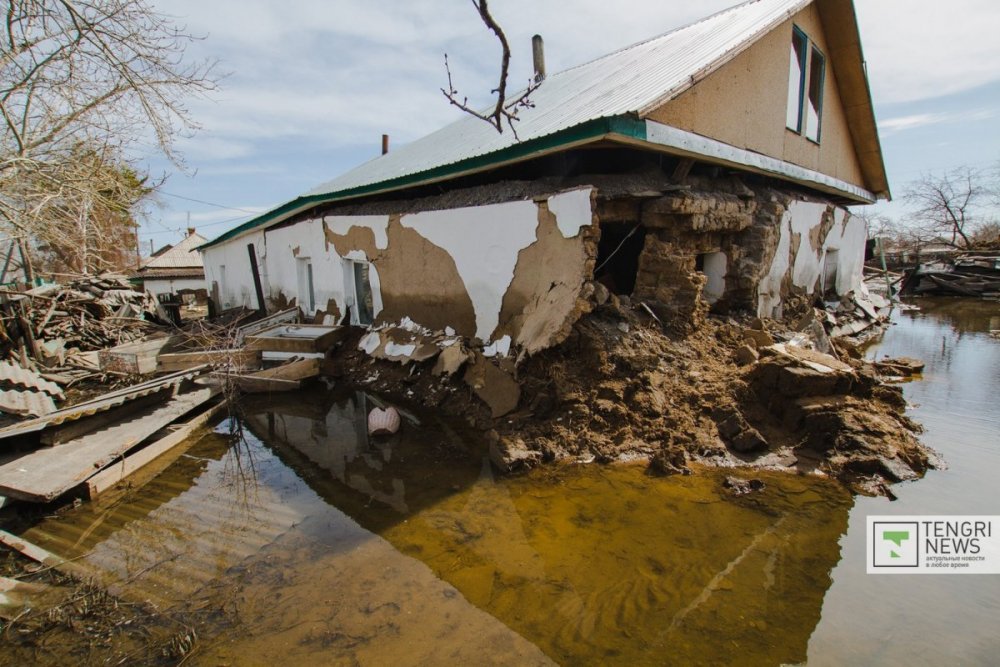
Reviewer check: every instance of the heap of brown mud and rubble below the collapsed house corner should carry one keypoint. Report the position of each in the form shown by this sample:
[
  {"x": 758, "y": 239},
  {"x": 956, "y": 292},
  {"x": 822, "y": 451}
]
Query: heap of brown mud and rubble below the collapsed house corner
[{"x": 729, "y": 393}]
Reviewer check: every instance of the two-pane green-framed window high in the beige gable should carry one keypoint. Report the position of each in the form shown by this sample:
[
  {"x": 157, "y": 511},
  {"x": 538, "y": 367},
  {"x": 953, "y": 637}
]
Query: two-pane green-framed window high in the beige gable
[{"x": 806, "y": 76}]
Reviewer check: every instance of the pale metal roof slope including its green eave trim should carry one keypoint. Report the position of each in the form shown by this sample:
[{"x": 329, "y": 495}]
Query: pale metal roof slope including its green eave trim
[{"x": 604, "y": 97}]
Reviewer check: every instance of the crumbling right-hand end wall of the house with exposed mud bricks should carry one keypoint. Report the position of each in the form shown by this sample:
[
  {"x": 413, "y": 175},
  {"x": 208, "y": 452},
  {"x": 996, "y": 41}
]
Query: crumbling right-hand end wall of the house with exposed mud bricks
[{"x": 723, "y": 246}]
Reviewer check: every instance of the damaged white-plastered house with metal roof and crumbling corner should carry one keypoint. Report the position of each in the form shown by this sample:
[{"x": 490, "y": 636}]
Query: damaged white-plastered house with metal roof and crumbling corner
[{"x": 708, "y": 166}]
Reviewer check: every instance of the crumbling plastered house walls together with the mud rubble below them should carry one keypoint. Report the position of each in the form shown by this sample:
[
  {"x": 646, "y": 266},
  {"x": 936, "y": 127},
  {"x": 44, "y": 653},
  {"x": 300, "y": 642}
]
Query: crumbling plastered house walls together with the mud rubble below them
[{"x": 610, "y": 318}]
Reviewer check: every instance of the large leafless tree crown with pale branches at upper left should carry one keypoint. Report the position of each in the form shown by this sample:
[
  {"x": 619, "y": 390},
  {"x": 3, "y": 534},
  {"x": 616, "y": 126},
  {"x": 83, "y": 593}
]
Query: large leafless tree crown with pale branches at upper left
[{"x": 99, "y": 74}]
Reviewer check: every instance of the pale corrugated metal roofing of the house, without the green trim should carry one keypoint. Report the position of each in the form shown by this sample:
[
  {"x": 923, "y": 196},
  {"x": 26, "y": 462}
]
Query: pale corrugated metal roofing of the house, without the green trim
[{"x": 624, "y": 82}]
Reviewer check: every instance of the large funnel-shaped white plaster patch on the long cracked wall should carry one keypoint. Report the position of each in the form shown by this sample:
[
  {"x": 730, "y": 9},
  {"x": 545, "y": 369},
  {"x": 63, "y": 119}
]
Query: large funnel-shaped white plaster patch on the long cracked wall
[{"x": 484, "y": 242}]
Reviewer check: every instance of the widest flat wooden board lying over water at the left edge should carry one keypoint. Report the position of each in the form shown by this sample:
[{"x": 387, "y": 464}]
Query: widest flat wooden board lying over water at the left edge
[{"x": 45, "y": 474}]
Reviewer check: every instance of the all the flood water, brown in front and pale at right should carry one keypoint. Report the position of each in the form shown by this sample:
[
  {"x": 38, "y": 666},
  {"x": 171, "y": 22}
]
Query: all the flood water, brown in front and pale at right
[{"x": 303, "y": 541}]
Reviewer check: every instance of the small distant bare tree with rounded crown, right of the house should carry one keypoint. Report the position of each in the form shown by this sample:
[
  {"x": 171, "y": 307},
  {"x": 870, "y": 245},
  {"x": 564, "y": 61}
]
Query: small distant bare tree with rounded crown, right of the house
[{"x": 952, "y": 205}]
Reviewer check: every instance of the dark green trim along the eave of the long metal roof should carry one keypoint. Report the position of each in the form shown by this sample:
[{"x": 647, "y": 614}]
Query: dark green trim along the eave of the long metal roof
[{"x": 628, "y": 126}]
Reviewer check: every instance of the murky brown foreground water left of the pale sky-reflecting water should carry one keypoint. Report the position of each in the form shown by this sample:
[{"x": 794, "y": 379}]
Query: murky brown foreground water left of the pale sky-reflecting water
[{"x": 308, "y": 541}]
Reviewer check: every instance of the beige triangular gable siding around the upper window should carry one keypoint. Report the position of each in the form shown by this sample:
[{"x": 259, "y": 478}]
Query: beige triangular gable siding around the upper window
[{"x": 744, "y": 104}]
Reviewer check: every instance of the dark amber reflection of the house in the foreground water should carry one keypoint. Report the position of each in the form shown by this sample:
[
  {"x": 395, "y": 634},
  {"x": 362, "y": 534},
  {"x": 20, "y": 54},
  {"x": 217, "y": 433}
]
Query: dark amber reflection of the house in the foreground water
[{"x": 593, "y": 565}]
